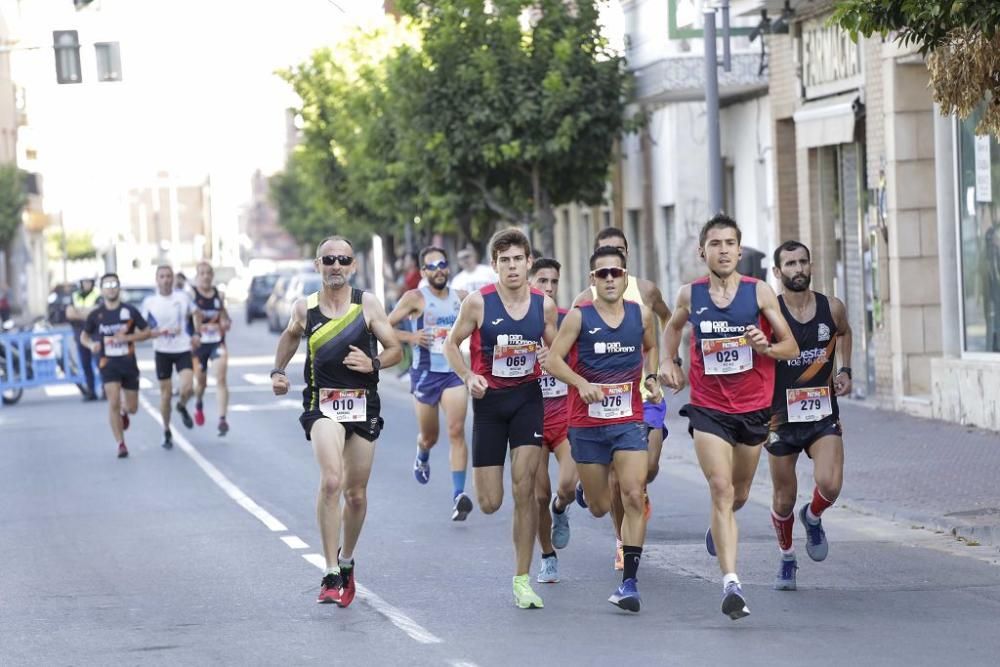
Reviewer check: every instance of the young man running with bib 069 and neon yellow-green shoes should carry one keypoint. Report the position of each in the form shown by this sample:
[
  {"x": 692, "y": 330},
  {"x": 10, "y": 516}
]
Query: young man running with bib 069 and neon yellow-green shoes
[{"x": 508, "y": 322}]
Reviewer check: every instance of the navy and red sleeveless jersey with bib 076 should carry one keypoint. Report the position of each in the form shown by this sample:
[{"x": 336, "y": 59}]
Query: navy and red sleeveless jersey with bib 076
[{"x": 610, "y": 357}]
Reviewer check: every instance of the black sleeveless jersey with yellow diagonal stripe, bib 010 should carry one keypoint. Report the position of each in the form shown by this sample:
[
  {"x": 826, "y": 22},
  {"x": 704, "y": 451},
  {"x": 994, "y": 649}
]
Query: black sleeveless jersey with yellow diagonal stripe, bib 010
[{"x": 328, "y": 341}]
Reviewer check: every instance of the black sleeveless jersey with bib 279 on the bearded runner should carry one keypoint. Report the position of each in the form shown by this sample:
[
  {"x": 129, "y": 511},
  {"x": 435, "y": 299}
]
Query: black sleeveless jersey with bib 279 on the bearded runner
[{"x": 803, "y": 387}]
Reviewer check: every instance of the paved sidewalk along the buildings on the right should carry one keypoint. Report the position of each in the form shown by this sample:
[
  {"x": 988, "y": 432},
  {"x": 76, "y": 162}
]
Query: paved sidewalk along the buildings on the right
[{"x": 921, "y": 472}]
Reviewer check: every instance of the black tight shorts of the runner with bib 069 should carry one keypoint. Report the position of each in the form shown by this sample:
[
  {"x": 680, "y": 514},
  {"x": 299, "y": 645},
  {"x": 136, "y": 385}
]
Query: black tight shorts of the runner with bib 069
[{"x": 513, "y": 415}]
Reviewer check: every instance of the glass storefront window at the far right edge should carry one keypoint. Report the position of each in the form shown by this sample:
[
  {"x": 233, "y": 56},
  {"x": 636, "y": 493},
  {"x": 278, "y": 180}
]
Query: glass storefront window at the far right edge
[{"x": 979, "y": 222}]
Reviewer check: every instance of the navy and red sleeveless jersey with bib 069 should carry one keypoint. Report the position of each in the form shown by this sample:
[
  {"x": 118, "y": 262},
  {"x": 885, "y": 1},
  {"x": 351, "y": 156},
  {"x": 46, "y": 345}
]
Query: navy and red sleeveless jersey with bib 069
[{"x": 504, "y": 350}]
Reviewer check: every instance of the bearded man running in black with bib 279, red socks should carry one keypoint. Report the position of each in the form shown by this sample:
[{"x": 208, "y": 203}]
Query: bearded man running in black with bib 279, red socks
[{"x": 805, "y": 413}]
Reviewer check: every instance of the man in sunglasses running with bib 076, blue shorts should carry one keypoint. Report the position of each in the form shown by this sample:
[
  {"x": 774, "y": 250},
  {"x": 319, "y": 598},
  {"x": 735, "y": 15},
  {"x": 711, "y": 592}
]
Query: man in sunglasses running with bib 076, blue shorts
[{"x": 612, "y": 347}]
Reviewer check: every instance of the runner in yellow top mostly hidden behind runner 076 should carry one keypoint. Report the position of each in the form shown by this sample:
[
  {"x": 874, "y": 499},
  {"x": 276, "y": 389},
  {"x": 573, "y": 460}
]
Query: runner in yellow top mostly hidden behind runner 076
[{"x": 654, "y": 414}]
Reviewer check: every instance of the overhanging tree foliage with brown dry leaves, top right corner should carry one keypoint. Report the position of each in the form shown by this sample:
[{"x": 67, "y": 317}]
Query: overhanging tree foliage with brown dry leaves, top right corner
[{"x": 959, "y": 37}]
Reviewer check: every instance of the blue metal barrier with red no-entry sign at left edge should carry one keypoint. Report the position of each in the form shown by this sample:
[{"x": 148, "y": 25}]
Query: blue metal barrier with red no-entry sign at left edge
[{"x": 38, "y": 358}]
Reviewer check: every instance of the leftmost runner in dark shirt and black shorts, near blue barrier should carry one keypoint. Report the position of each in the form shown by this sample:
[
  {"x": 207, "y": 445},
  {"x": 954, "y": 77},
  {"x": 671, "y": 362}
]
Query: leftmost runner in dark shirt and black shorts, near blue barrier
[{"x": 111, "y": 331}]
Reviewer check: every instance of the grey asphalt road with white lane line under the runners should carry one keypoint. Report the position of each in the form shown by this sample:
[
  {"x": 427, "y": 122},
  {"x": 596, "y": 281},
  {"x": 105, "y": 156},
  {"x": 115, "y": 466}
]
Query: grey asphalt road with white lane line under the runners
[{"x": 206, "y": 555}]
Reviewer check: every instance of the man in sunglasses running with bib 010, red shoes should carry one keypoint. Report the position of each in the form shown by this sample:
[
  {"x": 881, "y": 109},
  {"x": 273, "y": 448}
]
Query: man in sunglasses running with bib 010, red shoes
[{"x": 341, "y": 405}]
